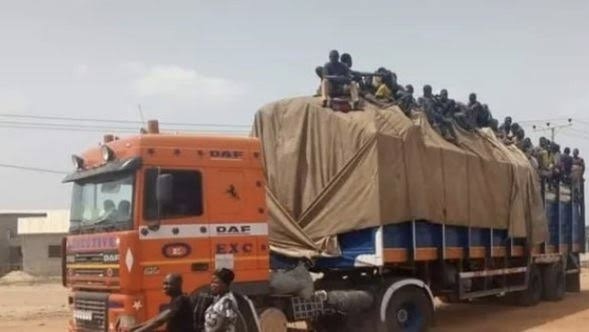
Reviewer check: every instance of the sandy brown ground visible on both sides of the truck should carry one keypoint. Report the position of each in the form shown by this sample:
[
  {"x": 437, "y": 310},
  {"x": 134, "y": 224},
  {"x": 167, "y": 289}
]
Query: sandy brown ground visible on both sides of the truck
[{"x": 43, "y": 308}]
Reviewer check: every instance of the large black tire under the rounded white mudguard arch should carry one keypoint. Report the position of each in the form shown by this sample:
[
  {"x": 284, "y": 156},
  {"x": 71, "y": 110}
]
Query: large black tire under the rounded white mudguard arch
[{"x": 408, "y": 310}]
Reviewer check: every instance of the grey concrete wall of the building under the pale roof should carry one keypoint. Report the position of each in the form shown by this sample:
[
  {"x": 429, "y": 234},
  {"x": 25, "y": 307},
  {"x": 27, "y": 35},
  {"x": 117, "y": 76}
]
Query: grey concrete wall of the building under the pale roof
[{"x": 36, "y": 260}]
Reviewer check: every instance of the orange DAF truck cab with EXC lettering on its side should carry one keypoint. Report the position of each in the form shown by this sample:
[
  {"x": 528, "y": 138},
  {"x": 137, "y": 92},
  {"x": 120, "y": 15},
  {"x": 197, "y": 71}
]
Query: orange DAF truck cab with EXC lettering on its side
[{"x": 152, "y": 204}]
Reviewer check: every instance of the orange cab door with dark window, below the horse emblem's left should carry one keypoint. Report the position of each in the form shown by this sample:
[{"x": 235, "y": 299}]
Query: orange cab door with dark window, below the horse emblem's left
[{"x": 181, "y": 243}]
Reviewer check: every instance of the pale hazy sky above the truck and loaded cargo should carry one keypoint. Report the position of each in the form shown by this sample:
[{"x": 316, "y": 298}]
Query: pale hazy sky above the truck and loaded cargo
[{"x": 219, "y": 61}]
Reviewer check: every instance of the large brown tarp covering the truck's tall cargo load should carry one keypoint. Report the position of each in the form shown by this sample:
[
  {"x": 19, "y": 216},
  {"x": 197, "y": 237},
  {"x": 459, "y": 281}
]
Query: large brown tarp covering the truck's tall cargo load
[{"x": 329, "y": 173}]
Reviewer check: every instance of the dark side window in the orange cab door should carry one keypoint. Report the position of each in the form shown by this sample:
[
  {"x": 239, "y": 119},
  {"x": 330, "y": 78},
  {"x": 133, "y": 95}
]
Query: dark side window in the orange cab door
[{"x": 186, "y": 194}]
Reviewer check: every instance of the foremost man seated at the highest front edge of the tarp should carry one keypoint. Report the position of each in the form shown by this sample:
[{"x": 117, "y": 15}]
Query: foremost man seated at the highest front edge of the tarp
[{"x": 336, "y": 80}]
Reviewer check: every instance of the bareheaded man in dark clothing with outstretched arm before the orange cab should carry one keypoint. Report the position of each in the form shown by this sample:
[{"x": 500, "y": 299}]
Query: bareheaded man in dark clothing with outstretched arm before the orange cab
[{"x": 177, "y": 315}]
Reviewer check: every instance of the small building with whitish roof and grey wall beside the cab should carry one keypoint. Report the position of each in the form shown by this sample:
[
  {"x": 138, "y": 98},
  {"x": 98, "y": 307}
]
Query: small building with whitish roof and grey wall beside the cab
[{"x": 40, "y": 240}]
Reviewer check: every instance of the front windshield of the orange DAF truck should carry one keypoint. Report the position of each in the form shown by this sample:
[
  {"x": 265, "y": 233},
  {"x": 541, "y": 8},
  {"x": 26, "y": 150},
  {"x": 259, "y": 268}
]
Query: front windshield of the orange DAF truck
[{"x": 102, "y": 204}]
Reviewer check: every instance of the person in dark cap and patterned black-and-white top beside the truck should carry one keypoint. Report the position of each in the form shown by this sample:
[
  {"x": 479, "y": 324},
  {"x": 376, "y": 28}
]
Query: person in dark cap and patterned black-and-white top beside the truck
[{"x": 222, "y": 315}]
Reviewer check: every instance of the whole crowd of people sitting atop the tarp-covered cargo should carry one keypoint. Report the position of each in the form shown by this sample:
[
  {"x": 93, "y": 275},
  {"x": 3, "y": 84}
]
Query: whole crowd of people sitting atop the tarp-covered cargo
[{"x": 445, "y": 115}]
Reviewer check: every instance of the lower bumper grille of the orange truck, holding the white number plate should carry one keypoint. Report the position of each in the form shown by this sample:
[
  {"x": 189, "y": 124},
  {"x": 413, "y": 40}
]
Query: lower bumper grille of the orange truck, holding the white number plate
[{"x": 90, "y": 311}]
